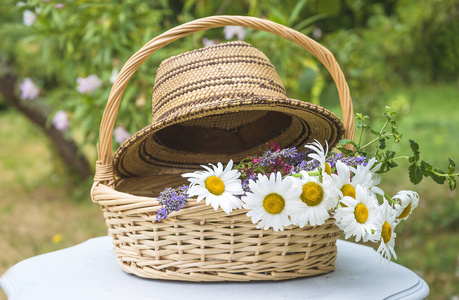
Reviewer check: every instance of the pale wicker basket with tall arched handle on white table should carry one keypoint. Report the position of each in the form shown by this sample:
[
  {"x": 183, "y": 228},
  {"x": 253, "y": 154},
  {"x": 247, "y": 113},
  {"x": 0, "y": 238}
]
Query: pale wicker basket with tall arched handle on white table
[{"x": 197, "y": 243}]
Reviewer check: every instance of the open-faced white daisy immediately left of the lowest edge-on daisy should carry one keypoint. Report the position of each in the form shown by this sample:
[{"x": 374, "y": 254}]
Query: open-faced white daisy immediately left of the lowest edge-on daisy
[{"x": 359, "y": 217}]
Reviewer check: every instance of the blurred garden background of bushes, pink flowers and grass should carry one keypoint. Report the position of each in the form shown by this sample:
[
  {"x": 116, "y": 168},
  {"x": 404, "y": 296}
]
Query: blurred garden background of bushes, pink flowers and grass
[{"x": 58, "y": 61}]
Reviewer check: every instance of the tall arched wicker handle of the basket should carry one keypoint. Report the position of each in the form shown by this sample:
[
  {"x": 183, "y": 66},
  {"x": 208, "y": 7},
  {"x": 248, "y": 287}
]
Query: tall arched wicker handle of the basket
[{"x": 129, "y": 68}]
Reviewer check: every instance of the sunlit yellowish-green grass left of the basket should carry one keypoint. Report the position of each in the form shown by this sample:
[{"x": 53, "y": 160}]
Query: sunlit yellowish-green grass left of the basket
[{"x": 36, "y": 200}]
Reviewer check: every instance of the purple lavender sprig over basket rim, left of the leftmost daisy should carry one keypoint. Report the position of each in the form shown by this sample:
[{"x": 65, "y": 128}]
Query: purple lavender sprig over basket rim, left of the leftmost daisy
[{"x": 171, "y": 200}]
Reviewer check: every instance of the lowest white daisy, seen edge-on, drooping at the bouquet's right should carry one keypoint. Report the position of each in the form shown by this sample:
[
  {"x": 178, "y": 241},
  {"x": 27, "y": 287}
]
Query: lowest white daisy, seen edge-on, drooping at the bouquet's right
[{"x": 387, "y": 231}]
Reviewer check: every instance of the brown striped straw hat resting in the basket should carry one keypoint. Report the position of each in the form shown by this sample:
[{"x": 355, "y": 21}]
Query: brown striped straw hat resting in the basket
[{"x": 219, "y": 103}]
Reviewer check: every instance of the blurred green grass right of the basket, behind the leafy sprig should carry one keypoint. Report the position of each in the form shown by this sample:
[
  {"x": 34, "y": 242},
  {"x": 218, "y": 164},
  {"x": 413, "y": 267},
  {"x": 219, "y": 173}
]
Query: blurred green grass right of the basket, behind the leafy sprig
[{"x": 428, "y": 242}]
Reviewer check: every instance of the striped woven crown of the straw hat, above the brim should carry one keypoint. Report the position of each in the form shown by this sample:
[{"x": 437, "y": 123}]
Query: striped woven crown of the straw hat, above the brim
[{"x": 205, "y": 77}]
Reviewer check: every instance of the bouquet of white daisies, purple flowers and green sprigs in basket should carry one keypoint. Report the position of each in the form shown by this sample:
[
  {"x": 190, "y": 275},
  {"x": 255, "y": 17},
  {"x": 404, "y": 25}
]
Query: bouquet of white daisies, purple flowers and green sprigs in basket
[{"x": 283, "y": 187}]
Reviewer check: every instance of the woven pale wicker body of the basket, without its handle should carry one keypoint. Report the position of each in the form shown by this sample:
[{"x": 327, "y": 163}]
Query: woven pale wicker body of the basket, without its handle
[{"x": 199, "y": 244}]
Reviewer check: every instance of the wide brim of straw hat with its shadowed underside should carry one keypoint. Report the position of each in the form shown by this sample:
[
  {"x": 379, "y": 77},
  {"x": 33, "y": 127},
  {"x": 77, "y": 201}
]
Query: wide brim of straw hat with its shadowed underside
[{"x": 167, "y": 147}]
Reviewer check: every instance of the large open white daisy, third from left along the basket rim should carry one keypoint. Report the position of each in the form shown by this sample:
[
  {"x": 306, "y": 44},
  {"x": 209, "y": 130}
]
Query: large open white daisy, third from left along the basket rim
[{"x": 316, "y": 199}]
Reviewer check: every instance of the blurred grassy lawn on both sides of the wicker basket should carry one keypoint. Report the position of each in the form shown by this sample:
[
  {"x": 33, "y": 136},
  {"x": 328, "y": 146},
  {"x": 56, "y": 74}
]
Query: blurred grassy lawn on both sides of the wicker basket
[{"x": 37, "y": 201}]
